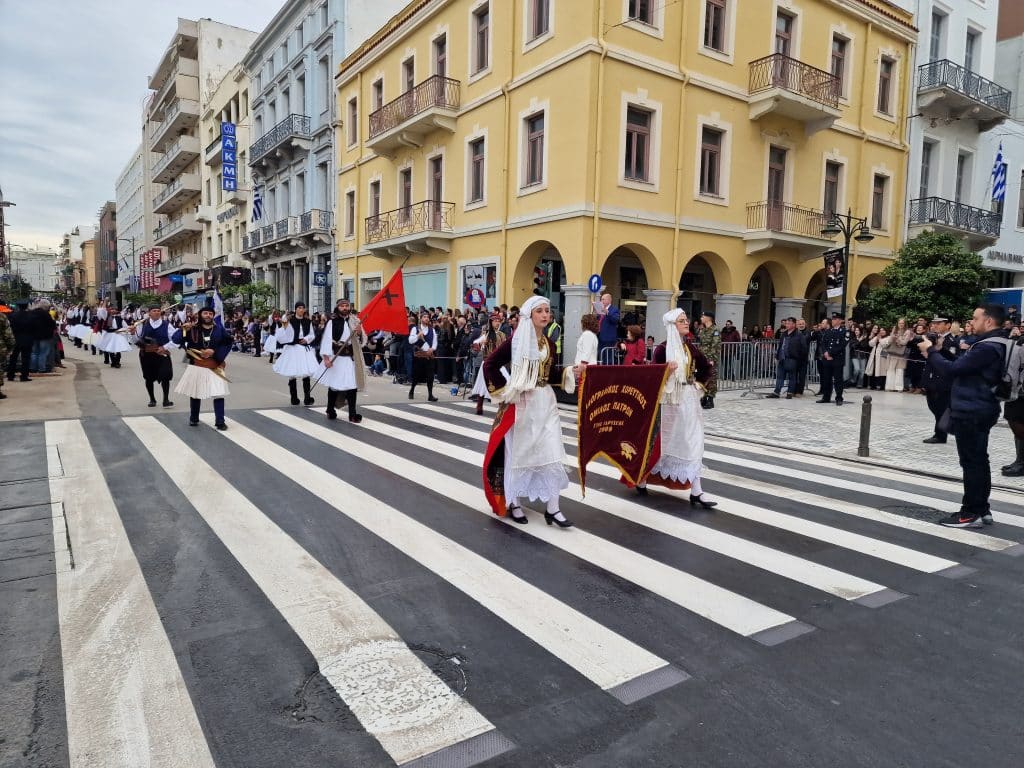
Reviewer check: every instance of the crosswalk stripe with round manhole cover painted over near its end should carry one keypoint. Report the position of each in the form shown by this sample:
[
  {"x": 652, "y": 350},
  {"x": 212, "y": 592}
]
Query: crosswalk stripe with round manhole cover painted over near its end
[{"x": 412, "y": 715}]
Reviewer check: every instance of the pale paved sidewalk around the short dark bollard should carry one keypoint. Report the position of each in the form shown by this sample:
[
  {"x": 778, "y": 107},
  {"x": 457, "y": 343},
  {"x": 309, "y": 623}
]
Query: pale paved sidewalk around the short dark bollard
[{"x": 900, "y": 423}]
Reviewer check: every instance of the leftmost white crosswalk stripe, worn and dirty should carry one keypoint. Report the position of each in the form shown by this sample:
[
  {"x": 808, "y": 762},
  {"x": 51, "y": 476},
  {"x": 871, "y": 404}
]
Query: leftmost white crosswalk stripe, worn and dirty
[{"x": 125, "y": 699}]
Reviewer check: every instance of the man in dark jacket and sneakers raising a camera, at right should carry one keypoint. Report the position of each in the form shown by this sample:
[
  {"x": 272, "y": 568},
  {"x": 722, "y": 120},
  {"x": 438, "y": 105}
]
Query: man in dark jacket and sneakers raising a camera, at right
[{"x": 974, "y": 409}]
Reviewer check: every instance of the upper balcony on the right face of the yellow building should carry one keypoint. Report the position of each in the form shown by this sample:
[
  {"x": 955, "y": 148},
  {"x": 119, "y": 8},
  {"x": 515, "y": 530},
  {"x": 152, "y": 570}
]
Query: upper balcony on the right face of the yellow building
[{"x": 786, "y": 87}]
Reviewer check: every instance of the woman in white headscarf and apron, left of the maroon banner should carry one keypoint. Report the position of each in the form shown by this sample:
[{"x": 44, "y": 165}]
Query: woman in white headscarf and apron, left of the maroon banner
[{"x": 526, "y": 456}]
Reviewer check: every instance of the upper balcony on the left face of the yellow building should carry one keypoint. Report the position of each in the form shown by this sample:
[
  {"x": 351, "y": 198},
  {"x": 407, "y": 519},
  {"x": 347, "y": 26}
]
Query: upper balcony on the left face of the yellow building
[{"x": 406, "y": 120}]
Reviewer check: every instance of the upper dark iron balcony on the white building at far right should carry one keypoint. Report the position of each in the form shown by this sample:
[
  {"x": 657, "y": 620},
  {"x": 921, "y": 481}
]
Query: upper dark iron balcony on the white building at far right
[{"x": 948, "y": 90}]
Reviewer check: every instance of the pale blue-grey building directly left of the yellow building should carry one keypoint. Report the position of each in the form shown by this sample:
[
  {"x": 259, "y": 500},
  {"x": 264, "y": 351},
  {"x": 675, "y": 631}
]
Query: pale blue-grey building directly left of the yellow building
[{"x": 292, "y": 156}]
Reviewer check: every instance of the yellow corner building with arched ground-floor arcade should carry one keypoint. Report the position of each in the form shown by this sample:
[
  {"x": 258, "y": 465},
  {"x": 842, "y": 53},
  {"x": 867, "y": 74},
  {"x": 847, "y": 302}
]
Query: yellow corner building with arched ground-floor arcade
[{"x": 665, "y": 147}]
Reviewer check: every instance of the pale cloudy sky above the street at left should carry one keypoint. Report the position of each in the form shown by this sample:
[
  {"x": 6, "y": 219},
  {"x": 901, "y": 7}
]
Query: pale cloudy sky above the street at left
[{"x": 73, "y": 77}]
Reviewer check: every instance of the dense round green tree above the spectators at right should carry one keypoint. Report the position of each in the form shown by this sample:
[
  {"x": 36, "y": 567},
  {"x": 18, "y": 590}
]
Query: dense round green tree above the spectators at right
[{"x": 933, "y": 275}]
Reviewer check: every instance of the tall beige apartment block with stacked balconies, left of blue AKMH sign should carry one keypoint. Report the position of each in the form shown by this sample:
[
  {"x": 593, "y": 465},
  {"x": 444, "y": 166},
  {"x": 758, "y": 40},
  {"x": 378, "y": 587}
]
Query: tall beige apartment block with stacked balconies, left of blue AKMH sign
[{"x": 200, "y": 55}]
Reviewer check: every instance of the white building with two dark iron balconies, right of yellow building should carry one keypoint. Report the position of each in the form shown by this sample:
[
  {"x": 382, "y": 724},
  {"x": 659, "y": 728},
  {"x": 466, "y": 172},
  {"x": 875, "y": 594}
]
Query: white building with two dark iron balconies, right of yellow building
[{"x": 957, "y": 103}]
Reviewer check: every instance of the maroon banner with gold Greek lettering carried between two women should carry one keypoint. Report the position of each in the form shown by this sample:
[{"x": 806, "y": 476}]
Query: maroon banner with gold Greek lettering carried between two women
[{"x": 618, "y": 406}]
